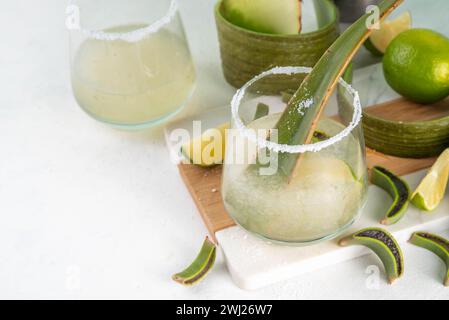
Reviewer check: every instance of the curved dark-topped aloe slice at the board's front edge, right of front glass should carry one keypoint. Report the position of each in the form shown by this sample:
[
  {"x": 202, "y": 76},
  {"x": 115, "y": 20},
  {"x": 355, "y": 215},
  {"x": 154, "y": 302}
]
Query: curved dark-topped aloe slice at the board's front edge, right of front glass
[{"x": 384, "y": 246}]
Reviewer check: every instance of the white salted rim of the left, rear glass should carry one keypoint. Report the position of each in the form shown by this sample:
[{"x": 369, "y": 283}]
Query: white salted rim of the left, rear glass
[{"x": 135, "y": 35}]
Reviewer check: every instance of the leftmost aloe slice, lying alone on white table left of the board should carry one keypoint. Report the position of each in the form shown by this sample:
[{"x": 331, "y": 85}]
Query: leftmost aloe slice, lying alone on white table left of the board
[{"x": 199, "y": 268}]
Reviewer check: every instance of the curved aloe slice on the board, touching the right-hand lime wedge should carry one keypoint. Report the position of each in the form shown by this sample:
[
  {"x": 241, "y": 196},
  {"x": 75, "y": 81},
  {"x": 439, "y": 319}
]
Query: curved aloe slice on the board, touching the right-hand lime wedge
[{"x": 397, "y": 188}]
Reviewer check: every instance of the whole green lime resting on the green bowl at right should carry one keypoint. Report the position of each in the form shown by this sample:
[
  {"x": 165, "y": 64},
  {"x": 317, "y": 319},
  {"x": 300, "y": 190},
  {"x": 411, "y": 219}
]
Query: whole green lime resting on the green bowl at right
[{"x": 416, "y": 65}]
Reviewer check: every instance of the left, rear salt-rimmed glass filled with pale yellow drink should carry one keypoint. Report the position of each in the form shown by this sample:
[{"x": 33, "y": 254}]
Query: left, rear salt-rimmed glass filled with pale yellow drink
[{"x": 130, "y": 62}]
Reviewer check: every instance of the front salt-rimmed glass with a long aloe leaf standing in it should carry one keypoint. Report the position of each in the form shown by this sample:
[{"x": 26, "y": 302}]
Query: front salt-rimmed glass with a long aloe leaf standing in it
[{"x": 326, "y": 194}]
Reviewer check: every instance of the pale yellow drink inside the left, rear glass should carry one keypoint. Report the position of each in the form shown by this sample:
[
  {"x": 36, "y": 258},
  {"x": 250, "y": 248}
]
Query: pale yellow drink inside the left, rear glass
[{"x": 133, "y": 83}]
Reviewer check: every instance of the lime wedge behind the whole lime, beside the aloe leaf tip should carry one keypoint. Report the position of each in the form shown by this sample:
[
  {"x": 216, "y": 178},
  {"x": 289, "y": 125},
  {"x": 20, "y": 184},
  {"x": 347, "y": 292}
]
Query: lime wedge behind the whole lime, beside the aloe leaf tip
[{"x": 380, "y": 39}]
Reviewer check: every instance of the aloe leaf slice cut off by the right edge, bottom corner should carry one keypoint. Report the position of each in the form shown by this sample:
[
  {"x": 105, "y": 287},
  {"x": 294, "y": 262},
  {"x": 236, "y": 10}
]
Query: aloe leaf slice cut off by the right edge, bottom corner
[{"x": 435, "y": 244}]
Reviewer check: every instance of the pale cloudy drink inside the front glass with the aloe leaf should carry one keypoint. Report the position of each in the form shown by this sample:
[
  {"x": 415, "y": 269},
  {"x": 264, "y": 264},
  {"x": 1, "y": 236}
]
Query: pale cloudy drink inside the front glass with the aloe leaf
[{"x": 323, "y": 198}]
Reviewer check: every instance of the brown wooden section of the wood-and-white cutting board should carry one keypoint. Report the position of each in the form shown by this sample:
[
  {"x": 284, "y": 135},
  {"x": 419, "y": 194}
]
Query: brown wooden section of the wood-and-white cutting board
[{"x": 204, "y": 183}]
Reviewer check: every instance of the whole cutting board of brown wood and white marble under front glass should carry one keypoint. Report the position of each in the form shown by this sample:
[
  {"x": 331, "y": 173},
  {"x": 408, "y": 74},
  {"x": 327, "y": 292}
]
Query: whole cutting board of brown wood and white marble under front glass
[{"x": 254, "y": 263}]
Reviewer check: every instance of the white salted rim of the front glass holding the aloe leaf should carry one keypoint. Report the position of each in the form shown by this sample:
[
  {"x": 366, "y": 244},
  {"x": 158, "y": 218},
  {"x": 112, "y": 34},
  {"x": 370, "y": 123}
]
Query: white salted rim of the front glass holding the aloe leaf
[{"x": 275, "y": 147}]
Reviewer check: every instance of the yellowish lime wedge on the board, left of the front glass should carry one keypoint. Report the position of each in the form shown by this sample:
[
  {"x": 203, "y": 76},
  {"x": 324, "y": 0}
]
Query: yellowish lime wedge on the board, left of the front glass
[{"x": 209, "y": 149}]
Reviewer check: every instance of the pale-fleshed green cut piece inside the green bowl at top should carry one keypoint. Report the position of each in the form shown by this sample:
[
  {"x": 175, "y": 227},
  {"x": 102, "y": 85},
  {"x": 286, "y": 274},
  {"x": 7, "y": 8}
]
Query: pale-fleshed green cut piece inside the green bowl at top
[{"x": 265, "y": 16}]
